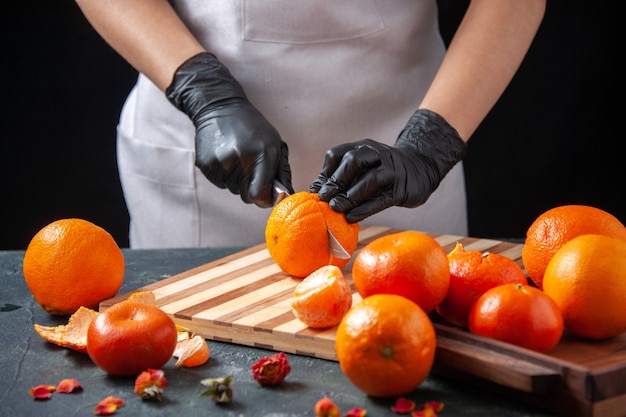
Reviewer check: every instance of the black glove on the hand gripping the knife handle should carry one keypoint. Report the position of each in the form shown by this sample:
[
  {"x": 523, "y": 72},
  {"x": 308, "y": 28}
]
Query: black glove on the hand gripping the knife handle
[{"x": 236, "y": 147}]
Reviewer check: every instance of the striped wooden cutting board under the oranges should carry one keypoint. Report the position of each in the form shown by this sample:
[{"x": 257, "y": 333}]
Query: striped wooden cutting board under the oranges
[{"x": 244, "y": 298}]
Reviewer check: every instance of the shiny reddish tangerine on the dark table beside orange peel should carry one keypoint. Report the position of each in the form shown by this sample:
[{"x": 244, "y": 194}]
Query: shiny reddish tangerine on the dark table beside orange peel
[{"x": 129, "y": 338}]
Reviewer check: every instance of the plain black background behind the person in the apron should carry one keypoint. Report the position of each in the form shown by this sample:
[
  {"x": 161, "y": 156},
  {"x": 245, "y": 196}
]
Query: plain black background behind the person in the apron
[{"x": 554, "y": 138}]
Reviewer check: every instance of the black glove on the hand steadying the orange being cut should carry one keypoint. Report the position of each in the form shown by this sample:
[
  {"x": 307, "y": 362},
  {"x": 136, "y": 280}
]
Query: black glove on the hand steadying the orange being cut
[{"x": 365, "y": 177}]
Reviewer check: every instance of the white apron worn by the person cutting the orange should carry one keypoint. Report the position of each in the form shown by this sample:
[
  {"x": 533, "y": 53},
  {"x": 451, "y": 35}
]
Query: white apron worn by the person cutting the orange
[{"x": 323, "y": 72}]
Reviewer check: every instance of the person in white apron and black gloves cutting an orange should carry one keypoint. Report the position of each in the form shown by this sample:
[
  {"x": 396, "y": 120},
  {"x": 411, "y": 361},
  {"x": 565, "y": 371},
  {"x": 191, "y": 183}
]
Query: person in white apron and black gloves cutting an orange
[{"x": 237, "y": 94}]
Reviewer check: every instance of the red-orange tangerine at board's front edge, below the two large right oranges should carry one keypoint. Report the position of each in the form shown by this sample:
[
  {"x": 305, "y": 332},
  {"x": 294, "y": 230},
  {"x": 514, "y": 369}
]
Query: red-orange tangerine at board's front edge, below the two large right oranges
[{"x": 518, "y": 314}]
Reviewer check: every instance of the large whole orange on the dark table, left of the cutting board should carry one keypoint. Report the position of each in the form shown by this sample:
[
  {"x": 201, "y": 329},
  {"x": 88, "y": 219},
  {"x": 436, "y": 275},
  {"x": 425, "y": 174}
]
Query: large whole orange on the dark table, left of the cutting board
[{"x": 72, "y": 263}]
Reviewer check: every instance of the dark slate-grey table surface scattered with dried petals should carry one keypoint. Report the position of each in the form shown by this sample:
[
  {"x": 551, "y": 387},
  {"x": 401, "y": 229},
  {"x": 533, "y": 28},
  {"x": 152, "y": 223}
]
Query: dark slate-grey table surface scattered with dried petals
[{"x": 26, "y": 360}]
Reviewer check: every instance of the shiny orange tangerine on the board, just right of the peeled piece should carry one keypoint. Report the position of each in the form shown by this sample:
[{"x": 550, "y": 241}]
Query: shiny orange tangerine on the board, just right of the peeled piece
[{"x": 411, "y": 264}]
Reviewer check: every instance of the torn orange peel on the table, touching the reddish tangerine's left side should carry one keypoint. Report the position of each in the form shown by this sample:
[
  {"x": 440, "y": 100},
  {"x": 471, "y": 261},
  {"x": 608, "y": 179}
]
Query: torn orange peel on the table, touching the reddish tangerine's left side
[{"x": 72, "y": 335}]
